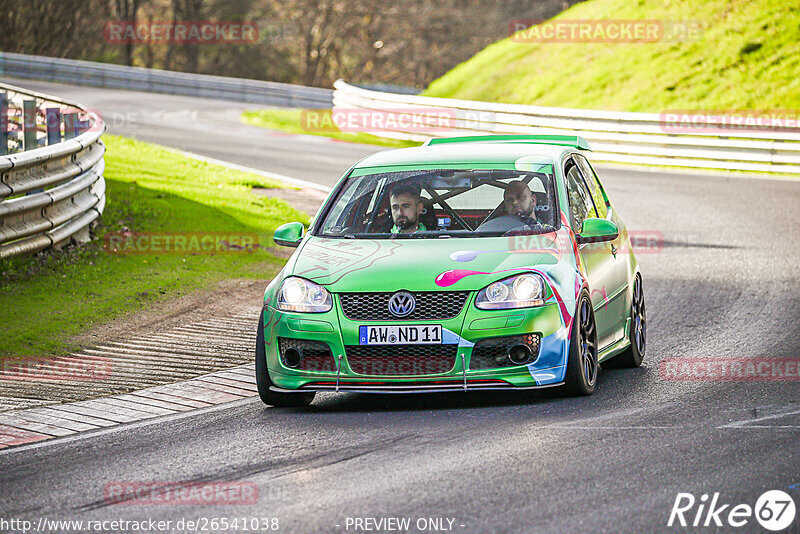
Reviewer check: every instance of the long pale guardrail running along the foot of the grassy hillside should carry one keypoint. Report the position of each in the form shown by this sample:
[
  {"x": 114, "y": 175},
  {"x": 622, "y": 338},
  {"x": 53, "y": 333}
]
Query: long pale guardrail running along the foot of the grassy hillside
[{"x": 621, "y": 137}]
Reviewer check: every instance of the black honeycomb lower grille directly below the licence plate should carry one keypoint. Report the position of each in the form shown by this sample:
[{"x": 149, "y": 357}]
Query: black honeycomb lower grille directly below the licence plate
[{"x": 401, "y": 360}]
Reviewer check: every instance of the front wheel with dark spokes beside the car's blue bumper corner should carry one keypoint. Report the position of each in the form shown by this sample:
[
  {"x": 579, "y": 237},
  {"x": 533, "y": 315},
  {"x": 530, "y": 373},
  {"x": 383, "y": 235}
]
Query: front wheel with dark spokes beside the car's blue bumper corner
[{"x": 581, "y": 376}]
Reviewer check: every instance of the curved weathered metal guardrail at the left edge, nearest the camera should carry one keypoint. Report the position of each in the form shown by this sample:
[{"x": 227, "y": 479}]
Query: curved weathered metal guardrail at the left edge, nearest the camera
[{"x": 51, "y": 171}]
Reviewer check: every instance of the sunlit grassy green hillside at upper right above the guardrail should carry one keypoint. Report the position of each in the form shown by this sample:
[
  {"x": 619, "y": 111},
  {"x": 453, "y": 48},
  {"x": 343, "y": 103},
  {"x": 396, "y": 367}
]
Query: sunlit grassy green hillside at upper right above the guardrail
[{"x": 747, "y": 56}]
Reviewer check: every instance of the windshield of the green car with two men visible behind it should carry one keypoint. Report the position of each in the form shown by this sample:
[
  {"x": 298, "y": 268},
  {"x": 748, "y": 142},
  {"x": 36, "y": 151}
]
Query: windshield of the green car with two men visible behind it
[{"x": 444, "y": 202}]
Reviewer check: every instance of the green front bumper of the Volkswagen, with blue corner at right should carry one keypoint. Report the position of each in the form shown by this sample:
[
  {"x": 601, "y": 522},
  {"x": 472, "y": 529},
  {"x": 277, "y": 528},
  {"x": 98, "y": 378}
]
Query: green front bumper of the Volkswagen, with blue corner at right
[{"x": 470, "y": 326}]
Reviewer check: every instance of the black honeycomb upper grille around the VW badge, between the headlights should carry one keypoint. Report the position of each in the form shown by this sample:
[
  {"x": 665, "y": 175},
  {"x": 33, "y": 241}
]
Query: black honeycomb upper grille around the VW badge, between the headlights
[{"x": 430, "y": 305}]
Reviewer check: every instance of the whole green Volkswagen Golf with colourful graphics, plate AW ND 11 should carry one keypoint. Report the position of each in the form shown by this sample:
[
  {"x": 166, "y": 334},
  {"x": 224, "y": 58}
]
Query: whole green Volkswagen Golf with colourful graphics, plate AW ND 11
[{"x": 469, "y": 263}]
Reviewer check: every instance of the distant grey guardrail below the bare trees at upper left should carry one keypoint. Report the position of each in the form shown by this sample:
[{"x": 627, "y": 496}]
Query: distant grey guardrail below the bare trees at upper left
[{"x": 162, "y": 81}]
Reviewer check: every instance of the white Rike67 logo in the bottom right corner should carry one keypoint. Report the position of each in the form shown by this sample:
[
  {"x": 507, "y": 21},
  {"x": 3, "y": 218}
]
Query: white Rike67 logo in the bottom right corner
[{"x": 774, "y": 510}]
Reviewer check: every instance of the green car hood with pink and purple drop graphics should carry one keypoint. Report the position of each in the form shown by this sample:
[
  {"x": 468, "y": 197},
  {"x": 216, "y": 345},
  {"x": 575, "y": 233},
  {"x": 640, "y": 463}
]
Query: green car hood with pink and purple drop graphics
[{"x": 422, "y": 264}]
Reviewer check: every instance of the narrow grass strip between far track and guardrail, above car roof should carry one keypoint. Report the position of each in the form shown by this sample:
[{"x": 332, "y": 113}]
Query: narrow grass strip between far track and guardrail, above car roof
[{"x": 297, "y": 121}]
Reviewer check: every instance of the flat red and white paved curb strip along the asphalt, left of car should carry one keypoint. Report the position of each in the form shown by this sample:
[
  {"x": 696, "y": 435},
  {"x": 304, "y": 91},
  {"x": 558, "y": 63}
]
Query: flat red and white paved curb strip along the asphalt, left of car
[{"x": 39, "y": 424}]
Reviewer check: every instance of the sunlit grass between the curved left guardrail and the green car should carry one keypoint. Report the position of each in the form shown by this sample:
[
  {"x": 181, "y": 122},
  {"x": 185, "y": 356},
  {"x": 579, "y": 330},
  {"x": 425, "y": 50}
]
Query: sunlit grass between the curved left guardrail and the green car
[{"x": 46, "y": 299}]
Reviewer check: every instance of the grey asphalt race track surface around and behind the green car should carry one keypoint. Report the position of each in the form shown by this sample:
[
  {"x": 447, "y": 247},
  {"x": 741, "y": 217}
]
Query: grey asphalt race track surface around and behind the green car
[{"x": 724, "y": 285}]
